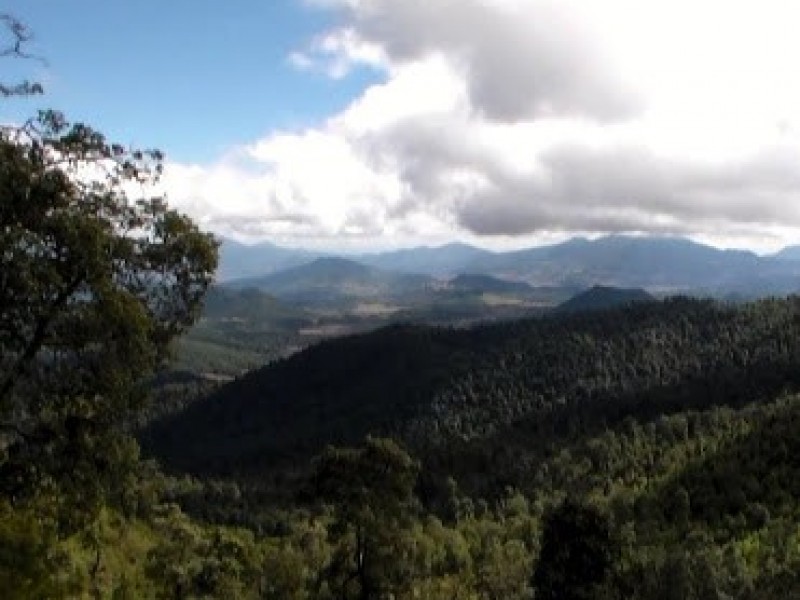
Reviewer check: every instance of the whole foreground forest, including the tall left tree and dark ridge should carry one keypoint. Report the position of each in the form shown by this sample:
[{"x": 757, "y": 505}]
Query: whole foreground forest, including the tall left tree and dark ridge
[{"x": 647, "y": 451}]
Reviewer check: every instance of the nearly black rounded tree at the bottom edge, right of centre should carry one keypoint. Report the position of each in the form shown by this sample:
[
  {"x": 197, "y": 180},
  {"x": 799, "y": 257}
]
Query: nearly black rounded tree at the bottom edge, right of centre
[{"x": 578, "y": 553}]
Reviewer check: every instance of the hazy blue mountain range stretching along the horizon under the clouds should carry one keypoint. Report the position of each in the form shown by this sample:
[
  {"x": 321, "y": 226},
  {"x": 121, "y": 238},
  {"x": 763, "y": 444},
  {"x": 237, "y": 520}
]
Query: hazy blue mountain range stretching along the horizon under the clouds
[{"x": 659, "y": 264}]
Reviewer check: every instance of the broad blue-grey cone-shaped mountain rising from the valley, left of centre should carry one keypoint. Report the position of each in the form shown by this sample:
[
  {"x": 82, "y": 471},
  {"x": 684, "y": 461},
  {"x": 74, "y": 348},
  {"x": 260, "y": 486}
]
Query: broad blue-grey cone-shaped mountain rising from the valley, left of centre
[{"x": 327, "y": 280}]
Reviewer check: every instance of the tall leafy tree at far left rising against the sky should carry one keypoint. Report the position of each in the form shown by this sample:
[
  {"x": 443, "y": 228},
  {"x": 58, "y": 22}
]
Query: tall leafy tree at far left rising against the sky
[{"x": 96, "y": 279}]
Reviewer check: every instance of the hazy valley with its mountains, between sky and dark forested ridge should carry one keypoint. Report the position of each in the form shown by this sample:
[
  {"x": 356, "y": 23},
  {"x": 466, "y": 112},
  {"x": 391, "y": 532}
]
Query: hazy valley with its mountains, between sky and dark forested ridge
[{"x": 291, "y": 299}]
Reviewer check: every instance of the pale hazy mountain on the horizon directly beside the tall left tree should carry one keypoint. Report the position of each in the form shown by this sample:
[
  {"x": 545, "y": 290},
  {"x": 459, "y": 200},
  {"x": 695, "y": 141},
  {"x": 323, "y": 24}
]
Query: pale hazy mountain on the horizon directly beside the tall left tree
[{"x": 241, "y": 260}]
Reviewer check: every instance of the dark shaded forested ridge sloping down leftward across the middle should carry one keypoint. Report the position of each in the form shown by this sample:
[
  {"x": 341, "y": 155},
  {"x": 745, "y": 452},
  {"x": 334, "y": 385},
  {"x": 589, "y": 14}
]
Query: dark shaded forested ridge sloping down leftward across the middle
[{"x": 491, "y": 395}]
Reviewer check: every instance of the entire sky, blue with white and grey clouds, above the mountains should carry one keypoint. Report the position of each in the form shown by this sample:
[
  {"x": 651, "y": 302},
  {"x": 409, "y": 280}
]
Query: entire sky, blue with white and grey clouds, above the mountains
[{"x": 365, "y": 124}]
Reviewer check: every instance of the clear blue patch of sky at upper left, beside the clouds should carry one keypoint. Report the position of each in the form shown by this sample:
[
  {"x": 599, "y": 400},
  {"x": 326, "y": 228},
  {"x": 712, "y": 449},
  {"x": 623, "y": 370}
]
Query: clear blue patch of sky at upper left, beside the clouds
[{"x": 193, "y": 77}]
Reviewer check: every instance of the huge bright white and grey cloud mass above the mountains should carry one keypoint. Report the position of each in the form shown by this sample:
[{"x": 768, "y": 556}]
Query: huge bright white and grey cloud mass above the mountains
[{"x": 504, "y": 118}]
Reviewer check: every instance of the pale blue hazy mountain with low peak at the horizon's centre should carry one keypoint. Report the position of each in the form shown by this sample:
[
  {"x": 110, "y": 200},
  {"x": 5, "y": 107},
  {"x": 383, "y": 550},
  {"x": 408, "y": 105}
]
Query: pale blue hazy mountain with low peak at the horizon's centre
[{"x": 441, "y": 261}]
